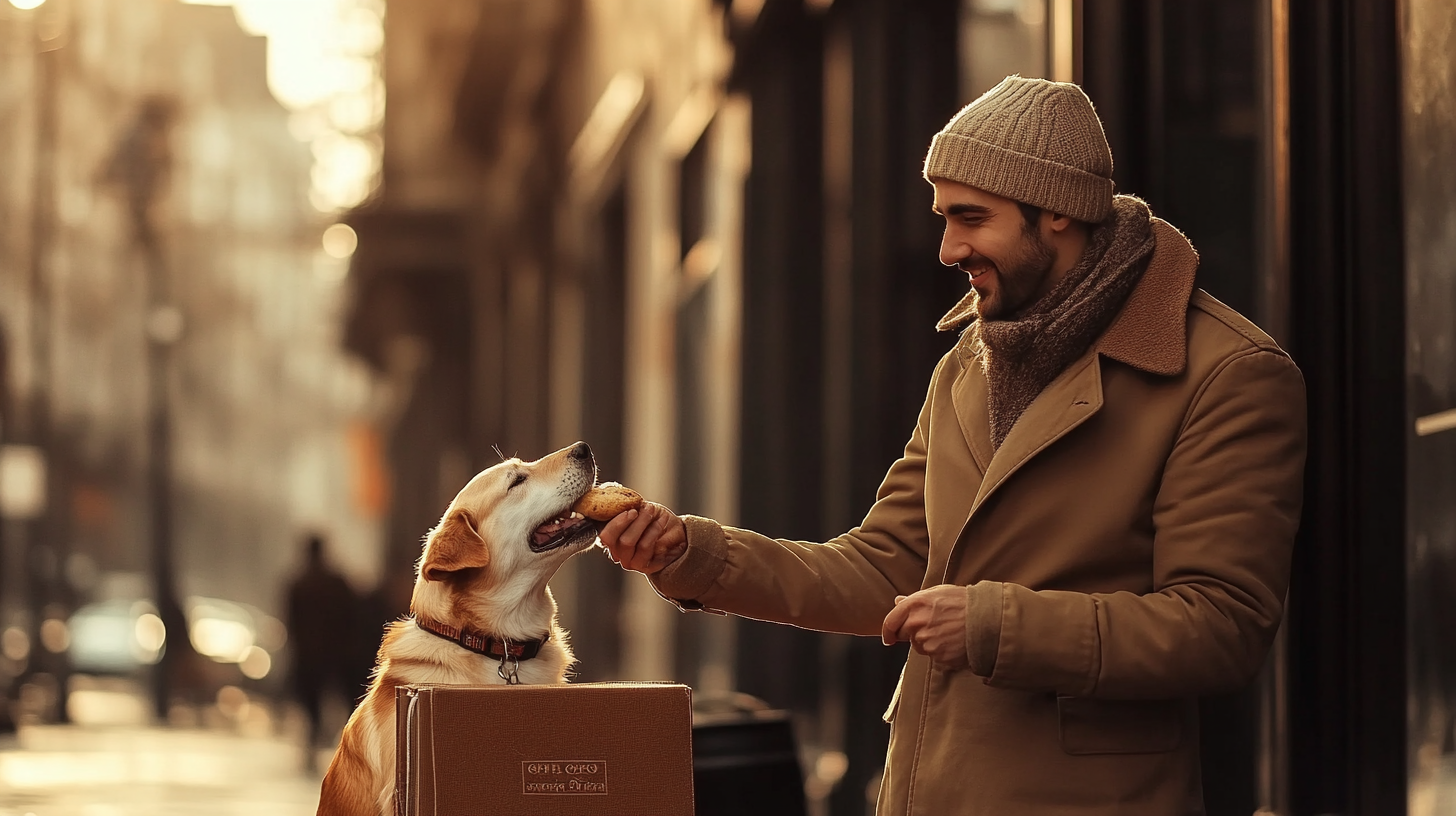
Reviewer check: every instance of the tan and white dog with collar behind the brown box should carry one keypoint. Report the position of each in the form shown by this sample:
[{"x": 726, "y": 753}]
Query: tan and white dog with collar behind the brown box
[{"x": 481, "y": 613}]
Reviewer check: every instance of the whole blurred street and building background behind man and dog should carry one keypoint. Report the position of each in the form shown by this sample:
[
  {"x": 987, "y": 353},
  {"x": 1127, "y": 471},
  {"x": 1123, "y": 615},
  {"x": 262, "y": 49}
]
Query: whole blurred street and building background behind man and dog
[{"x": 290, "y": 270}]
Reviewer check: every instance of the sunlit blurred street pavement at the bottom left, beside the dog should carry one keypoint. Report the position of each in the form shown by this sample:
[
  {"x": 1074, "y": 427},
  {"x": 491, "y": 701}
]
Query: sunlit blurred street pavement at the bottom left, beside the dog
[{"x": 240, "y": 764}]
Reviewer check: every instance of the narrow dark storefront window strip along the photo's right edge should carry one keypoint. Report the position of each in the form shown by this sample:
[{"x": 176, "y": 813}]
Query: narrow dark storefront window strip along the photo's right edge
[{"x": 1431, "y": 279}]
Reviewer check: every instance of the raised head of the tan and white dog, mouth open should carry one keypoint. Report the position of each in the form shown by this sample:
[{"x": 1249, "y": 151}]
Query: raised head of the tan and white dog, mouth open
[{"x": 515, "y": 521}]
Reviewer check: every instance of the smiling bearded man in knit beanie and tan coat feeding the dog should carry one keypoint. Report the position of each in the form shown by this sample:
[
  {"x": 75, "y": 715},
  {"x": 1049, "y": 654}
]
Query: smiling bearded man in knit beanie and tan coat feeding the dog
[{"x": 1093, "y": 521}]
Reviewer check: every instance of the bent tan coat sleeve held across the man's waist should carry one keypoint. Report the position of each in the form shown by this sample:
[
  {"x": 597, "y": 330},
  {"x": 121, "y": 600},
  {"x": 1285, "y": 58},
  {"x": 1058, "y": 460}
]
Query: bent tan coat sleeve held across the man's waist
[{"x": 1225, "y": 521}]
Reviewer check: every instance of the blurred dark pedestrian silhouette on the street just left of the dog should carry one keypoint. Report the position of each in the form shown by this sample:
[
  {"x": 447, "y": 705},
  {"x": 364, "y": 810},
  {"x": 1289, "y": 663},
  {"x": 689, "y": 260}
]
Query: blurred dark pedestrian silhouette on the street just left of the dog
[{"x": 323, "y": 637}]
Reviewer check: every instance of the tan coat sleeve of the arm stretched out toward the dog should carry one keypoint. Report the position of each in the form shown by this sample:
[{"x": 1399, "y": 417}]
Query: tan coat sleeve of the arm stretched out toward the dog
[{"x": 847, "y": 585}]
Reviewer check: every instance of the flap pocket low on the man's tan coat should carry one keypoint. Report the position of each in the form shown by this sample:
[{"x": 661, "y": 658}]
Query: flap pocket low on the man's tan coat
[{"x": 1119, "y": 726}]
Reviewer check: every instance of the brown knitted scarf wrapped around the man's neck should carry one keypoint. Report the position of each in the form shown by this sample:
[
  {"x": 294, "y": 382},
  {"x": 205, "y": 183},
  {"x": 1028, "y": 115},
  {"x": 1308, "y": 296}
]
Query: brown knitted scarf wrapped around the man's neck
[{"x": 1023, "y": 355}]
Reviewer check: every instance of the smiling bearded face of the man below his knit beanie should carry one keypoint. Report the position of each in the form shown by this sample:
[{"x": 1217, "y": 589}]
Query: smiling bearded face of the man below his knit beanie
[{"x": 986, "y": 237}]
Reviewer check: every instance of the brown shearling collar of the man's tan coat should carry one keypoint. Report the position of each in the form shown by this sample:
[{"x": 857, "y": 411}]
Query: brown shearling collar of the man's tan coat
[{"x": 1151, "y": 333}]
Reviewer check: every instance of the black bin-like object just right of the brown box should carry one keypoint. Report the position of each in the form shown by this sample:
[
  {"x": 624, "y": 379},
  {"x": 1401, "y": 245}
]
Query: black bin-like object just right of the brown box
[{"x": 745, "y": 760}]
